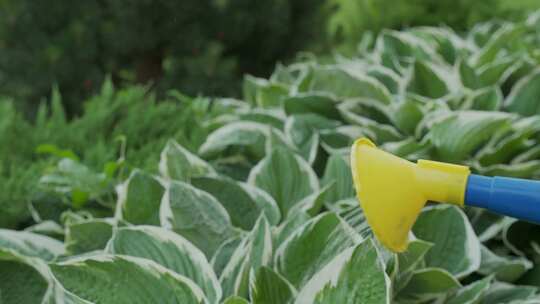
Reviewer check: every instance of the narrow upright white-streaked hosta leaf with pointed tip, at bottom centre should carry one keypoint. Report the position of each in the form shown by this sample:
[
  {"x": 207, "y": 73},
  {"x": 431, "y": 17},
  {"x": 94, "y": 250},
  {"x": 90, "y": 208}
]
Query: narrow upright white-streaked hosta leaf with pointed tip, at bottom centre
[{"x": 253, "y": 252}]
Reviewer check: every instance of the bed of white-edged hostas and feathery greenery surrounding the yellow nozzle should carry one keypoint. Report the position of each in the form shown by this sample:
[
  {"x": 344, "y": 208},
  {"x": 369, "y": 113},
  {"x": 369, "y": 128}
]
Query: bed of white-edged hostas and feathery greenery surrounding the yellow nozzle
[{"x": 224, "y": 201}]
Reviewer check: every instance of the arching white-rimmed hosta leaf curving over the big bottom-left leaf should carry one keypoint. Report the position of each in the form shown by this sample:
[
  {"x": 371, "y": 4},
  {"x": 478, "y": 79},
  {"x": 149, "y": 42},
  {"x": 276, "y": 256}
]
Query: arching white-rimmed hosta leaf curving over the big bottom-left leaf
[{"x": 169, "y": 250}]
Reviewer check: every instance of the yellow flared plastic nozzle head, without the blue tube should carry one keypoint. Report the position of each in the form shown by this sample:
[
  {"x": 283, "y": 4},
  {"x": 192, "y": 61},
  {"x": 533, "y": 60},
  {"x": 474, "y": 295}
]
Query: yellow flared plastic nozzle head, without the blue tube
[{"x": 392, "y": 191}]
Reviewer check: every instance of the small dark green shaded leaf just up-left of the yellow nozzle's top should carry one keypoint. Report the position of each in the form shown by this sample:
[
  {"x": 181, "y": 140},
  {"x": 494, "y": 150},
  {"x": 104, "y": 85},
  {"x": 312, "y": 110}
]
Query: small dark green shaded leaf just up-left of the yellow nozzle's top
[{"x": 319, "y": 104}]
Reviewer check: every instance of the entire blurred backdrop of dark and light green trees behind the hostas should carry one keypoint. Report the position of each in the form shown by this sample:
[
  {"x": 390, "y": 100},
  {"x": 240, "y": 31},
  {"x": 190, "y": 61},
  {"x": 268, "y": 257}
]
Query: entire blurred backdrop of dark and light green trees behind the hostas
[{"x": 197, "y": 47}]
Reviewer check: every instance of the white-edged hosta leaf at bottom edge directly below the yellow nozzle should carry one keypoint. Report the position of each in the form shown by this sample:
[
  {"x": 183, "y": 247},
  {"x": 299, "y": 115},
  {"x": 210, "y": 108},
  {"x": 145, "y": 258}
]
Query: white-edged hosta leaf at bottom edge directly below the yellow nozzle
[{"x": 356, "y": 275}]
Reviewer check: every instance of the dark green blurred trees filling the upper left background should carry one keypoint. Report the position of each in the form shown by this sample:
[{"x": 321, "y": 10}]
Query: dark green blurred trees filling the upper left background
[{"x": 189, "y": 45}]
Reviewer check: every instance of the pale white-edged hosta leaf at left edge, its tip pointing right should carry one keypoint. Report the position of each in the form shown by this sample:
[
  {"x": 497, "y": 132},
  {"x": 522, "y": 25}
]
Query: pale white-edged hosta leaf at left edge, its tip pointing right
[{"x": 31, "y": 244}]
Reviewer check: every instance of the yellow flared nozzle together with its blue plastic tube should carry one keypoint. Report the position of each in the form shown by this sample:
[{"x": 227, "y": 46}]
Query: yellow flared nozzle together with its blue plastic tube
[{"x": 392, "y": 191}]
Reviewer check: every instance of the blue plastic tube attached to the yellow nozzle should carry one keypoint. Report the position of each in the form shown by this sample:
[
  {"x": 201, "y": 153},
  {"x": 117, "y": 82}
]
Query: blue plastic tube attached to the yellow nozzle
[{"x": 519, "y": 198}]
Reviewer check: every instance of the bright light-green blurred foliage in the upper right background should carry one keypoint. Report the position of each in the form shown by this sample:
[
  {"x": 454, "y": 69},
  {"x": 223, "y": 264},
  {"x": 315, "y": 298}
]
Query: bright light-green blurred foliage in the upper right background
[{"x": 348, "y": 20}]
